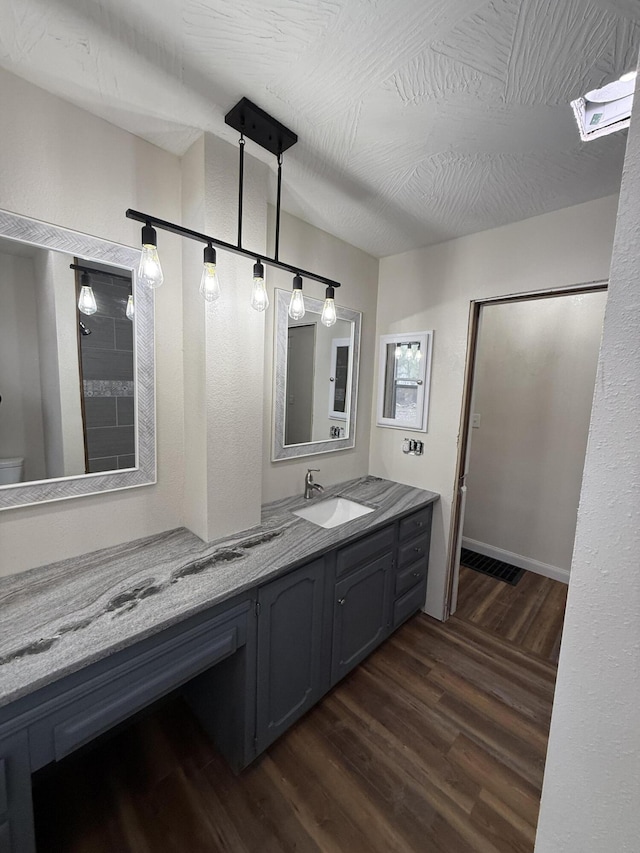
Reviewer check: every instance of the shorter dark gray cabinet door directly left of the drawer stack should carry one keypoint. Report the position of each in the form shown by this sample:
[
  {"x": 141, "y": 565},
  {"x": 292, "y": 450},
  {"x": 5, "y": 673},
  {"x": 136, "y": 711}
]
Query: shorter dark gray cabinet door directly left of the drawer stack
[{"x": 361, "y": 614}]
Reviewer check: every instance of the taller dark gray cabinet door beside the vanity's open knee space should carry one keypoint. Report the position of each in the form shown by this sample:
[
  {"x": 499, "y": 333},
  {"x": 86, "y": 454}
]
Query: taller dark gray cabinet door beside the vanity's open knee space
[{"x": 290, "y": 624}]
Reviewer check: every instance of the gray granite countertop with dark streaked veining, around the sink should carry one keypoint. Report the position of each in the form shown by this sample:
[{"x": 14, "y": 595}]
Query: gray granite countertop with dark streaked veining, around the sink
[{"x": 61, "y": 617}]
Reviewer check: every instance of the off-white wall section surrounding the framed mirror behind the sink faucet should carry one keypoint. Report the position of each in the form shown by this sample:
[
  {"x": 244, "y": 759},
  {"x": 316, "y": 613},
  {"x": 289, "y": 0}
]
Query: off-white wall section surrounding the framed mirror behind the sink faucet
[{"x": 358, "y": 272}]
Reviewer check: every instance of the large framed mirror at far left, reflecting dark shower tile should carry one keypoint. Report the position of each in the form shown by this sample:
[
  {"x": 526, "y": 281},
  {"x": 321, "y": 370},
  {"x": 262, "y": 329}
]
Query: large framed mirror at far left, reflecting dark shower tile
[{"x": 77, "y": 404}]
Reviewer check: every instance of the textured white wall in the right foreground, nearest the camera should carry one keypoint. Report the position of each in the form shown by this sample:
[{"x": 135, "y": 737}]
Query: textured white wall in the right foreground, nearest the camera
[{"x": 592, "y": 785}]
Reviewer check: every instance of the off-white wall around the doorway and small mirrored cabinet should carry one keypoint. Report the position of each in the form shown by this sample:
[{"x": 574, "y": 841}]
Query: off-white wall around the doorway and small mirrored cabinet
[{"x": 432, "y": 289}]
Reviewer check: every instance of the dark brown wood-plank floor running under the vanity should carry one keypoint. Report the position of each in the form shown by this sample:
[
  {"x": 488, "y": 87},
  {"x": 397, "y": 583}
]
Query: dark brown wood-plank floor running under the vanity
[{"x": 436, "y": 743}]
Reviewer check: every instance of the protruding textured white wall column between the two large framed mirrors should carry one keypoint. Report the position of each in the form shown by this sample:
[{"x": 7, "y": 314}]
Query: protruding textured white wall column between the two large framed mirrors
[{"x": 224, "y": 347}]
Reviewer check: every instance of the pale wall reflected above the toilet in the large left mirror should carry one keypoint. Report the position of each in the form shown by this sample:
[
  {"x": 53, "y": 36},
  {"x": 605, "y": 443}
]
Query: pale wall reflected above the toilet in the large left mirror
[{"x": 21, "y": 406}]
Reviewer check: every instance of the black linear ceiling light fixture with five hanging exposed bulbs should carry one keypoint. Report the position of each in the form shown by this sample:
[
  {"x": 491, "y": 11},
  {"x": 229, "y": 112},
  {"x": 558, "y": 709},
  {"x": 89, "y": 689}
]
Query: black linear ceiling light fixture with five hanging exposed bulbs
[{"x": 254, "y": 123}]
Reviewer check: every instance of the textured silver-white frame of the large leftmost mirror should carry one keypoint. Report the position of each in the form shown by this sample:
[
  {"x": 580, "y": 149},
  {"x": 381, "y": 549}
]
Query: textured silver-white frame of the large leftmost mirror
[{"x": 46, "y": 236}]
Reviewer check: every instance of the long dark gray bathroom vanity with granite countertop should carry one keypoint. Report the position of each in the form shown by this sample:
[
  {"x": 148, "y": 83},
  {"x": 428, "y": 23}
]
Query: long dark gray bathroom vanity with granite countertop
[{"x": 254, "y": 629}]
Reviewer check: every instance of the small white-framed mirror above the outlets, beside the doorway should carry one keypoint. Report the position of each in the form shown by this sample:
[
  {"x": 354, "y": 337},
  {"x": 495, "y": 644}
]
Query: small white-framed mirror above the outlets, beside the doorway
[{"x": 404, "y": 373}]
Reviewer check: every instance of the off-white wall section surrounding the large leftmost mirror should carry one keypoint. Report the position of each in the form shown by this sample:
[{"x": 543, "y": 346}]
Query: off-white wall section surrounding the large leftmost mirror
[{"x": 63, "y": 165}]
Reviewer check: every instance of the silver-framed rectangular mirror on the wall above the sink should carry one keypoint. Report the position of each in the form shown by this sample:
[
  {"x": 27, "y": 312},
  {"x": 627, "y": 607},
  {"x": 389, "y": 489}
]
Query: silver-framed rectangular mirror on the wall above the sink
[{"x": 315, "y": 380}]
